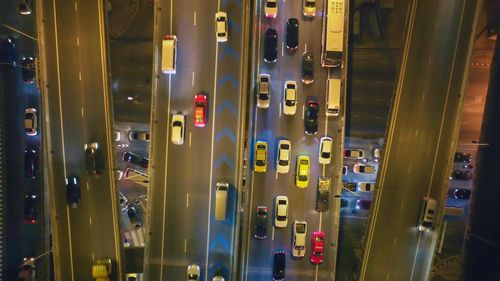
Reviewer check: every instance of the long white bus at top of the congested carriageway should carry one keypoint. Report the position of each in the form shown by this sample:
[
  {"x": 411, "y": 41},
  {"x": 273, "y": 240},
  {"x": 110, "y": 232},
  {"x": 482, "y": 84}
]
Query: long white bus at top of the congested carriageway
[{"x": 332, "y": 44}]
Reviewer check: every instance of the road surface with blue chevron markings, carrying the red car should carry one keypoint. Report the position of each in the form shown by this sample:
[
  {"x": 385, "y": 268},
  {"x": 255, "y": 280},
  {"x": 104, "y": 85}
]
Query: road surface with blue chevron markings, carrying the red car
[{"x": 181, "y": 227}]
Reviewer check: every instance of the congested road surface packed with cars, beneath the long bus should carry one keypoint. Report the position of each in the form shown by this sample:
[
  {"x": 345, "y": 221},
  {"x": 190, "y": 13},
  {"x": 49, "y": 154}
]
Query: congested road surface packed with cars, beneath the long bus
[{"x": 269, "y": 125}]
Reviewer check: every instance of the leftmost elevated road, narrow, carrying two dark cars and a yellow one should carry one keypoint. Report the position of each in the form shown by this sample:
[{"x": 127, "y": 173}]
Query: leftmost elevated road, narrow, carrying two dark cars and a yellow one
[{"x": 78, "y": 108}]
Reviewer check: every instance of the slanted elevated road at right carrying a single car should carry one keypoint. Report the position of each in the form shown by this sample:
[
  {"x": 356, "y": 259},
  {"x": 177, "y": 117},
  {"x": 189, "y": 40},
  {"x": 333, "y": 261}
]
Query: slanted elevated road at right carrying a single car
[{"x": 420, "y": 140}]
